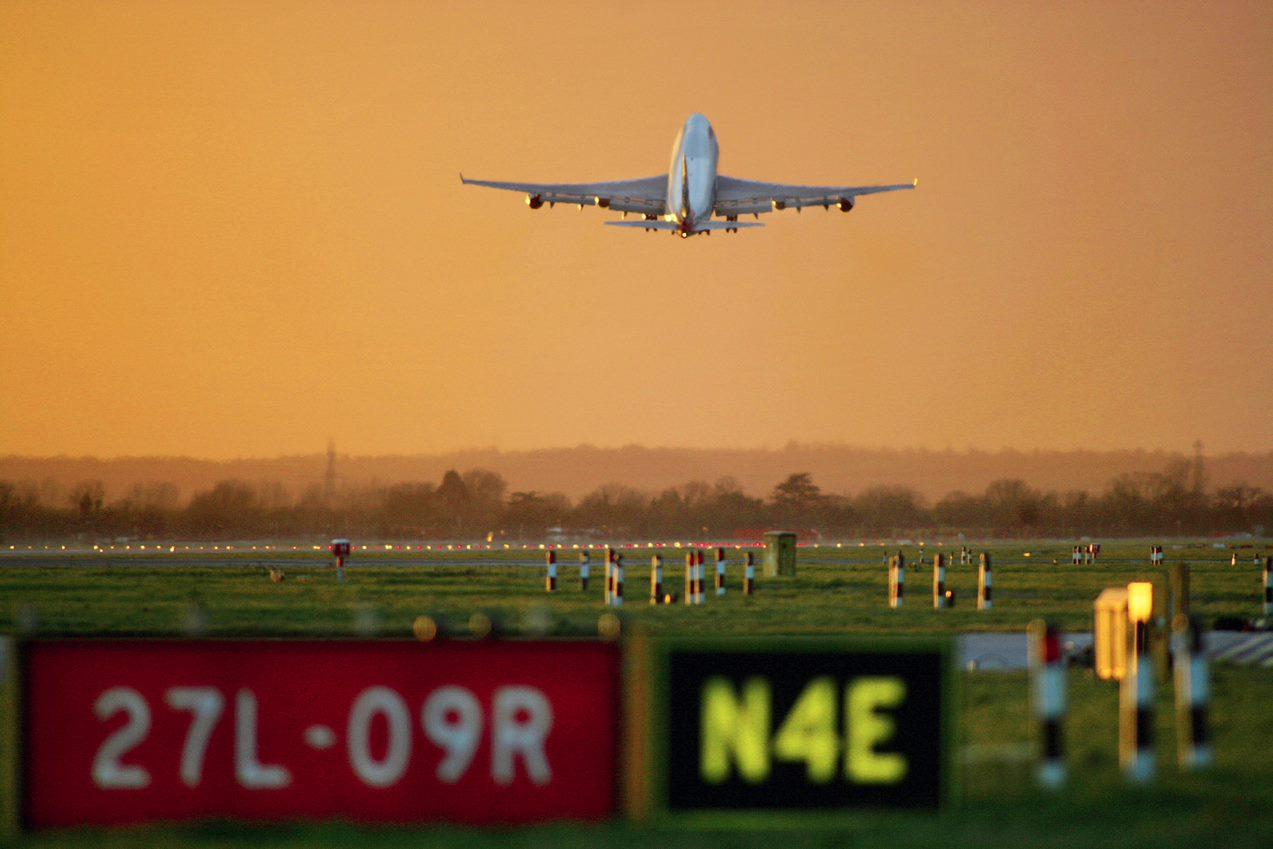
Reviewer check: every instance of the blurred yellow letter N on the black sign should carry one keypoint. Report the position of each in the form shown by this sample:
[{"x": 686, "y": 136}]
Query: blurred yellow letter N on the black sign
[{"x": 735, "y": 727}]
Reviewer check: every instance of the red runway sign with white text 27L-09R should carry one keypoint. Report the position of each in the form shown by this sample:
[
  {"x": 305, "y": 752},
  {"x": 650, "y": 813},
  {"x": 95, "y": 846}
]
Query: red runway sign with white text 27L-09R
[{"x": 137, "y": 731}]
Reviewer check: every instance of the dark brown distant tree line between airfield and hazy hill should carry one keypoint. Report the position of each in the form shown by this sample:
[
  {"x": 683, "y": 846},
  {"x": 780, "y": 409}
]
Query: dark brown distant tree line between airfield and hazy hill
[{"x": 477, "y": 505}]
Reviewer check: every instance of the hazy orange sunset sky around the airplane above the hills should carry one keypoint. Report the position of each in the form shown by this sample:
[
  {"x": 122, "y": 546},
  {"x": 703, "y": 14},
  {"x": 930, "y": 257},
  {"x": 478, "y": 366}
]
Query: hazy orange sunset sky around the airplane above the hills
[{"x": 236, "y": 228}]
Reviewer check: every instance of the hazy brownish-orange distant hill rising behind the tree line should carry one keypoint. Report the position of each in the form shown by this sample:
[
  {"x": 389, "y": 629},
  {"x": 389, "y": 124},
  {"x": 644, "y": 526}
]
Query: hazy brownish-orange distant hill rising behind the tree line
[{"x": 576, "y": 472}]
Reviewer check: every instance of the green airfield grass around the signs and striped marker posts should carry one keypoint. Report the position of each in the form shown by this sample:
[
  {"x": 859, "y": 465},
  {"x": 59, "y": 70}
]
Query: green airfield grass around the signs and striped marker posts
[{"x": 837, "y": 591}]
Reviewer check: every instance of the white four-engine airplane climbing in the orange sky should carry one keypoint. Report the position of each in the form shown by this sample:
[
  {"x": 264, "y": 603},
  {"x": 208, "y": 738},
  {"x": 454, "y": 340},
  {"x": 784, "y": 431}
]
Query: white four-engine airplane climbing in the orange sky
[{"x": 684, "y": 200}]
